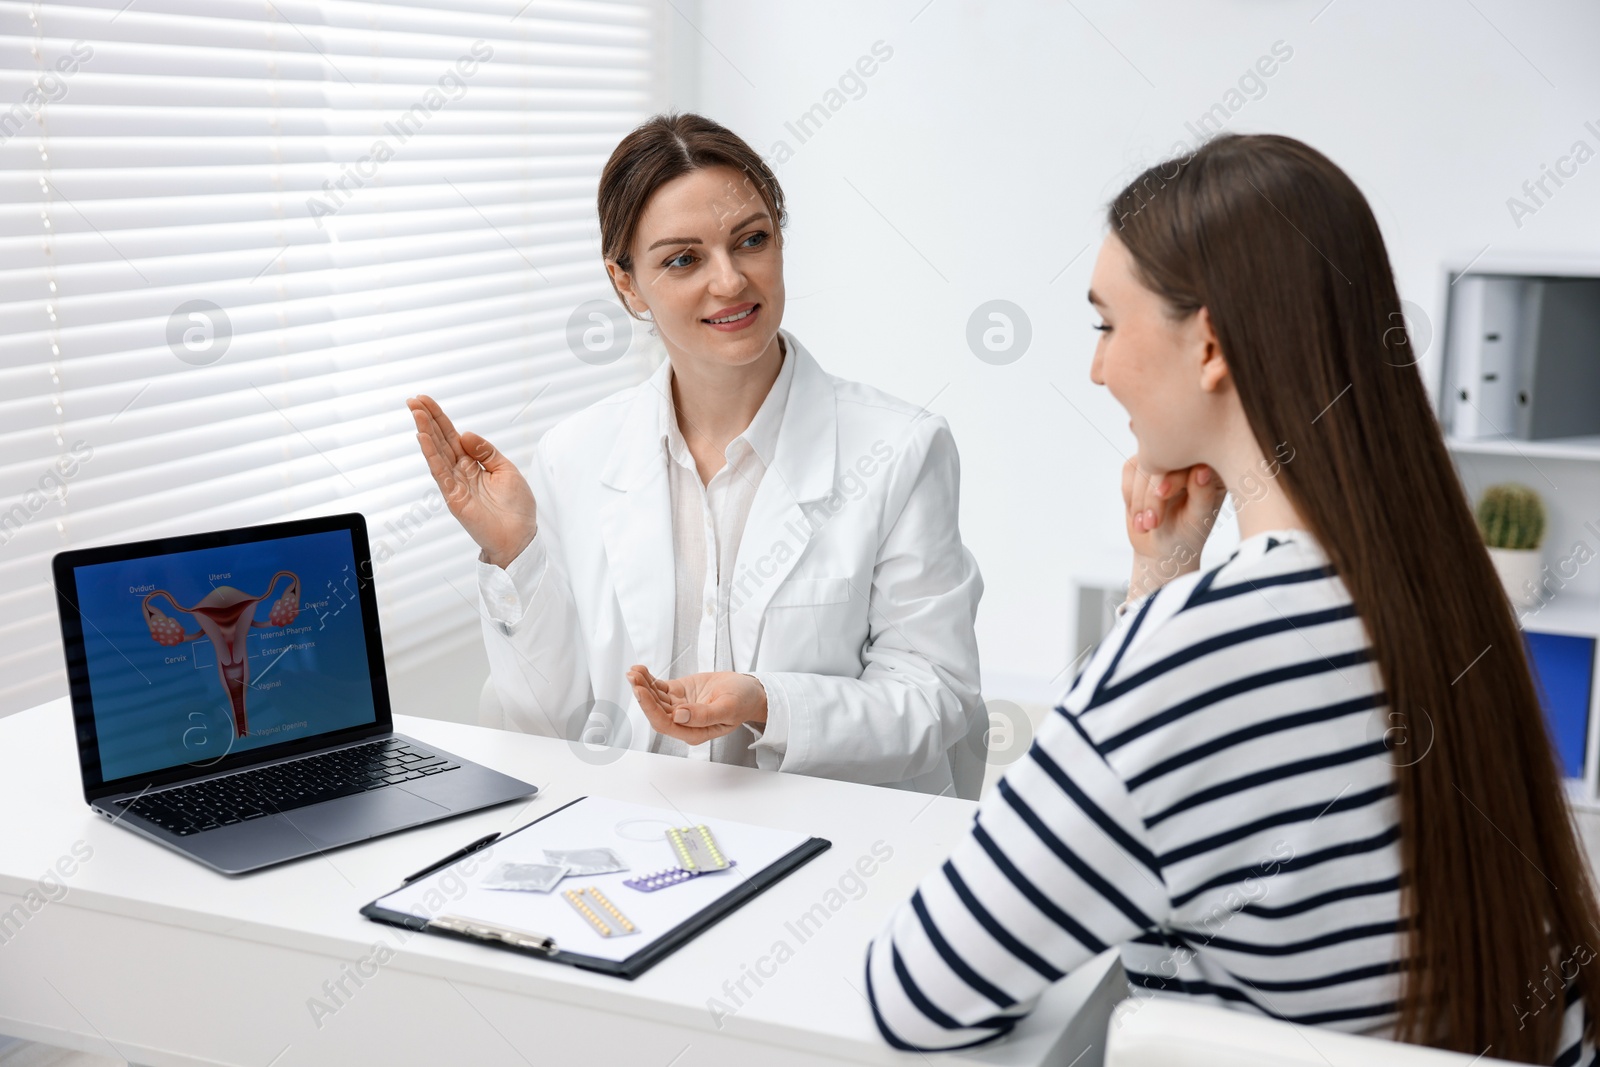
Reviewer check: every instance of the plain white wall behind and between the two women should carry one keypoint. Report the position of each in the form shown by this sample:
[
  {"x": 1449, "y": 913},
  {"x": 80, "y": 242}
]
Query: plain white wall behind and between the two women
[{"x": 978, "y": 159}]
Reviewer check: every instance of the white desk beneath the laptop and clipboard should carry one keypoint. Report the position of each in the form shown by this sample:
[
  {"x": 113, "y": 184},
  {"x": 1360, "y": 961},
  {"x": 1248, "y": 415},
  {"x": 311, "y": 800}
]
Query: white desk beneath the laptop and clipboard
[{"x": 154, "y": 959}]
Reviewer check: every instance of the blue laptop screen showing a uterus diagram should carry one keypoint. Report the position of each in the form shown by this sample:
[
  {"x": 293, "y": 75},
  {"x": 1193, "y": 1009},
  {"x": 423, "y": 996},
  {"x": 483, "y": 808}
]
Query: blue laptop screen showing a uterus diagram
[{"x": 207, "y": 653}]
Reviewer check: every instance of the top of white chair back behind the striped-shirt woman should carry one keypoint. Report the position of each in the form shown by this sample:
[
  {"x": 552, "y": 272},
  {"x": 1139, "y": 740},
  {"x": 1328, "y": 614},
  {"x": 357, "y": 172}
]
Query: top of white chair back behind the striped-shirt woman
[{"x": 1172, "y": 1033}]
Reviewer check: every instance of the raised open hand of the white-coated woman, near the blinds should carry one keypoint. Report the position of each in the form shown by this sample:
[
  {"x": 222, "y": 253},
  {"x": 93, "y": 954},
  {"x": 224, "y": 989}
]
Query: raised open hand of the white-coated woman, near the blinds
[{"x": 484, "y": 490}]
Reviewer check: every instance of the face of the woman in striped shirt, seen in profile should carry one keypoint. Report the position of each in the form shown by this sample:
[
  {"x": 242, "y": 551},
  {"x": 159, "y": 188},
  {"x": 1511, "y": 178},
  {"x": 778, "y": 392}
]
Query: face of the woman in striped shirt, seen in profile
[{"x": 1166, "y": 369}]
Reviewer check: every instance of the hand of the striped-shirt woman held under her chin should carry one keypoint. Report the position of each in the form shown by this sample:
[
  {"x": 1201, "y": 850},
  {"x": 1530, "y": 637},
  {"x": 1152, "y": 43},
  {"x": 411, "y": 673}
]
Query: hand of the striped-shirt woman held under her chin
[{"x": 1169, "y": 516}]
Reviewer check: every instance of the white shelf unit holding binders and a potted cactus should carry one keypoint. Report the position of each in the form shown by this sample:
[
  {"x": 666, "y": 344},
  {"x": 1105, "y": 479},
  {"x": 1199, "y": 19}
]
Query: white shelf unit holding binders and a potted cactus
[{"x": 1566, "y": 471}]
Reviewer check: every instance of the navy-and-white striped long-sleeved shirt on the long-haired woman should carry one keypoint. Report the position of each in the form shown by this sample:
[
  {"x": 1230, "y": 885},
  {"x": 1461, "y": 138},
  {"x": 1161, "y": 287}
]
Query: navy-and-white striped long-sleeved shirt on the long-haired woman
[{"x": 1215, "y": 797}]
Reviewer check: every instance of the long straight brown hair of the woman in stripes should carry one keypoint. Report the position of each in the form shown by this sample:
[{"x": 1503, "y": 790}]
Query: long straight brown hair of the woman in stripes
[{"x": 1284, "y": 252}]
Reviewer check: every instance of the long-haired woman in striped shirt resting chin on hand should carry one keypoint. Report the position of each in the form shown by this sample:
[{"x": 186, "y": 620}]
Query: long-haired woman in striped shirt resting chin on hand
[{"x": 1314, "y": 781}]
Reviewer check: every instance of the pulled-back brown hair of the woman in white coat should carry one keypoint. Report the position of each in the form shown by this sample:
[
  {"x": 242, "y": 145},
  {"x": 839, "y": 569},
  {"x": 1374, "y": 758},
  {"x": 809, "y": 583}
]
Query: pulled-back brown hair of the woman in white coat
[{"x": 654, "y": 154}]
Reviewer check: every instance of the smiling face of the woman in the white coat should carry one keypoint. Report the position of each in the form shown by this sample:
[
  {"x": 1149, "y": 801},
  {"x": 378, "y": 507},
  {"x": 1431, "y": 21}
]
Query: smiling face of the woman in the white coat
[{"x": 708, "y": 266}]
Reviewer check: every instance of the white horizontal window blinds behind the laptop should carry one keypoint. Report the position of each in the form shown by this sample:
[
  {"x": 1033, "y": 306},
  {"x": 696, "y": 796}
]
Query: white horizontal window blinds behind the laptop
[{"x": 238, "y": 234}]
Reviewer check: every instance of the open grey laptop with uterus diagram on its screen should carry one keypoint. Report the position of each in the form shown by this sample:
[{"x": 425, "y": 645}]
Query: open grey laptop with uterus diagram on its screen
[{"x": 231, "y": 701}]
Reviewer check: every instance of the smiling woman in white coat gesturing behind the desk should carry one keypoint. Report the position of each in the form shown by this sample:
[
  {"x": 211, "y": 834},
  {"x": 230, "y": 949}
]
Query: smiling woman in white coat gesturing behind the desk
[{"x": 742, "y": 559}]
